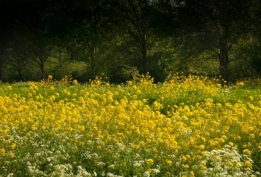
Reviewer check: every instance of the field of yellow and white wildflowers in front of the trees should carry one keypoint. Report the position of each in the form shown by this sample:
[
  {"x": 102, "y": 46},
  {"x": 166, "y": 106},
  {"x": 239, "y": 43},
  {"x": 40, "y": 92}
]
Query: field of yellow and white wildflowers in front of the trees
[{"x": 187, "y": 126}]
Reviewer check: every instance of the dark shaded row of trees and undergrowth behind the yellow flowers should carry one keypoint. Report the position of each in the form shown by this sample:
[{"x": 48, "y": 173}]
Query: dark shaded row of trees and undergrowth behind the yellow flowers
[{"x": 121, "y": 38}]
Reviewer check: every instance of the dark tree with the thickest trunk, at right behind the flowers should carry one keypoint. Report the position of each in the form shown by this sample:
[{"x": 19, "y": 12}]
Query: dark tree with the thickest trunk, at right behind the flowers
[{"x": 224, "y": 22}]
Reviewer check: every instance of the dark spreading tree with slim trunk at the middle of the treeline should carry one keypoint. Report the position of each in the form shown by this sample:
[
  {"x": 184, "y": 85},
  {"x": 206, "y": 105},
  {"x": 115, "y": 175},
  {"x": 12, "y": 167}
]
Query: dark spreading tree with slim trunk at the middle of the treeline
[{"x": 134, "y": 19}]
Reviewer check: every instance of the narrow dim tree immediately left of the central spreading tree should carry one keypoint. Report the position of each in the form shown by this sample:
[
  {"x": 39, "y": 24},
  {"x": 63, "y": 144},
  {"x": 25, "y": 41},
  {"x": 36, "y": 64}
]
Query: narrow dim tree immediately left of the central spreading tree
[{"x": 92, "y": 34}]
